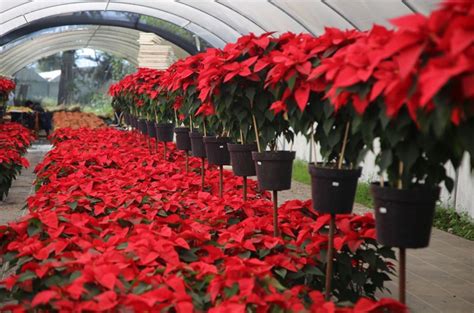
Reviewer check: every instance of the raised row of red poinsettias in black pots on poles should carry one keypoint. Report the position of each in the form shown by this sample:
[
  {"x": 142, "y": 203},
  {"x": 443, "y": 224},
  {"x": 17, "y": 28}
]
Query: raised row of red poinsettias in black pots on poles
[{"x": 408, "y": 88}]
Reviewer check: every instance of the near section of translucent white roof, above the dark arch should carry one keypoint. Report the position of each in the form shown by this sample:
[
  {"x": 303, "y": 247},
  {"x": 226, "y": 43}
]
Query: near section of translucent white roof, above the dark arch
[{"x": 222, "y": 21}]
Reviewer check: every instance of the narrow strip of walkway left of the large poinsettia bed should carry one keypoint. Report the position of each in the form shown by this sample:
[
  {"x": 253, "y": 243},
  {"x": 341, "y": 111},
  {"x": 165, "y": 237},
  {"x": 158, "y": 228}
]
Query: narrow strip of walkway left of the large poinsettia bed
[{"x": 12, "y": 207}]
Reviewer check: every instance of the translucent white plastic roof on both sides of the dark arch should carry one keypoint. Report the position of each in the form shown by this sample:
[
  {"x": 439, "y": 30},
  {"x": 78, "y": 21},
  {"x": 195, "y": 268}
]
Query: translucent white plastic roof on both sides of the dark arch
[{"x": 217, "y": 22}]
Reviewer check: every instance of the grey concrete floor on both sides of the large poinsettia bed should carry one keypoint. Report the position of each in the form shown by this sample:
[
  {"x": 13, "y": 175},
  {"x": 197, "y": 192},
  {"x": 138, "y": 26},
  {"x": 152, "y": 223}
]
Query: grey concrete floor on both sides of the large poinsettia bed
[{"x": 440, "y": 278}]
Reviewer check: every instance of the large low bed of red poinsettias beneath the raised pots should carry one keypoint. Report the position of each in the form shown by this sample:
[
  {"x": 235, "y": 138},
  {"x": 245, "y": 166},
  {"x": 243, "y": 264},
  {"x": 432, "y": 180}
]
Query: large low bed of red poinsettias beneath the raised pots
[{"x": 112, "y": 227}]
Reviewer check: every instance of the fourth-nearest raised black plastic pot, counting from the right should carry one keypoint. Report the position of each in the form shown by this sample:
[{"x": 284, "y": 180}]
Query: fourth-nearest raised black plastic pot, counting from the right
[{"x": 241, "y": 159}]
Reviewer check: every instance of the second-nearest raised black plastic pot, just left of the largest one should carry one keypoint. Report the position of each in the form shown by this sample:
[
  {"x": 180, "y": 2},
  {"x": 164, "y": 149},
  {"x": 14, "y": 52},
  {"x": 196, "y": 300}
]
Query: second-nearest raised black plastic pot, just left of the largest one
[{"x": 333, "y": 190}]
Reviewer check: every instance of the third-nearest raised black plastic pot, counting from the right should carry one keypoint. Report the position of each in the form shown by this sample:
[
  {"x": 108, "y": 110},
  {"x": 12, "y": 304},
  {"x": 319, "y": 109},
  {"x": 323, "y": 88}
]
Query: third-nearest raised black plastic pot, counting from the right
[{"x": 274, "y": 169}]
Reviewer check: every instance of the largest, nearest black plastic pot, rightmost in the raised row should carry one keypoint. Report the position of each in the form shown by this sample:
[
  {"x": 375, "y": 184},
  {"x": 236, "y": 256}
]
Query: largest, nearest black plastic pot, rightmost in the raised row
[{"x": 403, "y": 218}]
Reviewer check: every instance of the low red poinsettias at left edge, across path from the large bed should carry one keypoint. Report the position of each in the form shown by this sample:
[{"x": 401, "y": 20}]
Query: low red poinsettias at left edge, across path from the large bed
[{"x": 14, "y": 140}]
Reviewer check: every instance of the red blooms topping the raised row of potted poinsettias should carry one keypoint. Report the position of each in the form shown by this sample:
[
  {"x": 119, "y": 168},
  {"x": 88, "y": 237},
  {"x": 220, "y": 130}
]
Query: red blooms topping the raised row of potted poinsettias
[{"x": 406, "y": 67}]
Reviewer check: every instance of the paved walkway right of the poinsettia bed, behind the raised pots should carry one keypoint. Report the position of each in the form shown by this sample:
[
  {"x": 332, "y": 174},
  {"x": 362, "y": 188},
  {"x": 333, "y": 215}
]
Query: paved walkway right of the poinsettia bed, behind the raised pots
[{"x": 440, "y": 278}]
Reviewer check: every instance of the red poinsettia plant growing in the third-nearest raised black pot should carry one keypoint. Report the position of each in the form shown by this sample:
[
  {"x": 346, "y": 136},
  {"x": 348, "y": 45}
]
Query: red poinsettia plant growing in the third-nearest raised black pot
[{"x": 231, "y": 88}]
